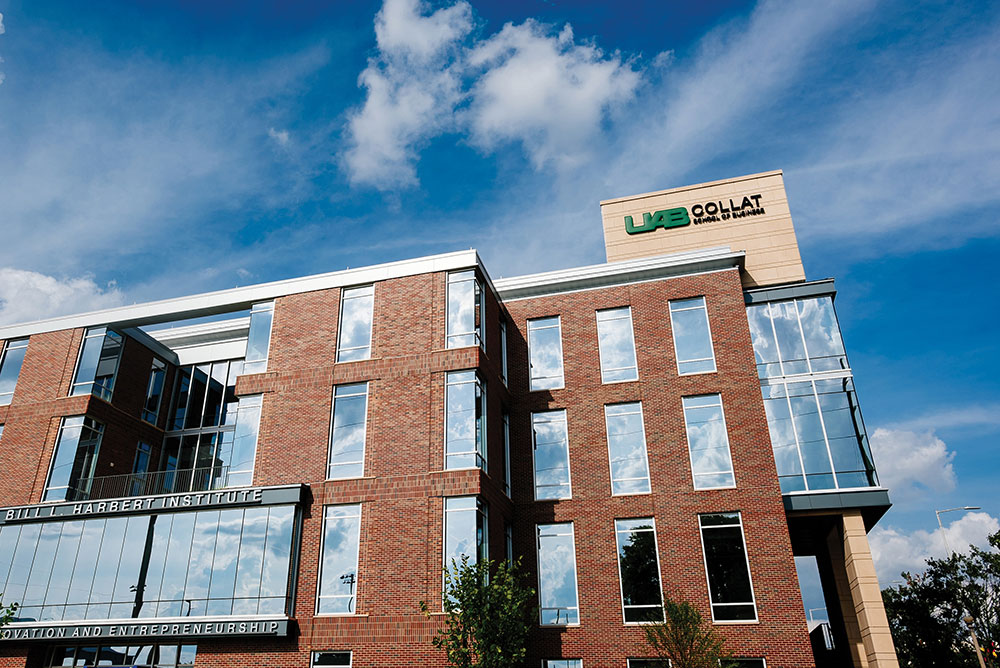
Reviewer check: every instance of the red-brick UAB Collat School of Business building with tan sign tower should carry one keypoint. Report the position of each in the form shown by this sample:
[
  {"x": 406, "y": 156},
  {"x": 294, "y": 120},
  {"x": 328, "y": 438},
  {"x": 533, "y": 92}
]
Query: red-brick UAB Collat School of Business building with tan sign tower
[{"x": 275, "y": 475}]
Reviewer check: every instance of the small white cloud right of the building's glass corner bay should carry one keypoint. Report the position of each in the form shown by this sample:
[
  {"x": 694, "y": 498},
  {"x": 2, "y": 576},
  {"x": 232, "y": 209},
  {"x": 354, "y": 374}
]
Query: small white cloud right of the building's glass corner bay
[{"x": 912, "y": 463}]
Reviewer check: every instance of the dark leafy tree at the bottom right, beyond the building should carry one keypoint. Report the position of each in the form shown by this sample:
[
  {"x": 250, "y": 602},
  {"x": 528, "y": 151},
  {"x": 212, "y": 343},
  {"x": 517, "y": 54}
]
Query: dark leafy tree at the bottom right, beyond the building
[{"x": 926, "y": 612}]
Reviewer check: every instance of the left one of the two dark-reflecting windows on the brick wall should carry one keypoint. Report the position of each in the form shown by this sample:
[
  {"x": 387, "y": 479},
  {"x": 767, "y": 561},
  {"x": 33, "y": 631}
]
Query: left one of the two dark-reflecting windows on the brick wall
[{"x": 639, "y": 570}]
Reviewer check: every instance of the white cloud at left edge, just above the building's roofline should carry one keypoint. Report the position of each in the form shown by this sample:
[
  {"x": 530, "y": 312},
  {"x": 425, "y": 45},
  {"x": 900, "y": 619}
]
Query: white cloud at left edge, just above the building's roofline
[{"x": 29, "y": 295}]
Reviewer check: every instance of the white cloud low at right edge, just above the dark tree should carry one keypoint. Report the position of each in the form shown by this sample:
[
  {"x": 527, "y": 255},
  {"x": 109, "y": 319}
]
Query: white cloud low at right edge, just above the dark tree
[{"x": 895, "y": 551}]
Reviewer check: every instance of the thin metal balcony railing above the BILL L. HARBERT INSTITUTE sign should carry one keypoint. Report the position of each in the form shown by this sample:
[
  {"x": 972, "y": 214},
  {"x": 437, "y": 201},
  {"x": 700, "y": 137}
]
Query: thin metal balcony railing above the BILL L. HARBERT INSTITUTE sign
[{"x": 153, "y": 482}]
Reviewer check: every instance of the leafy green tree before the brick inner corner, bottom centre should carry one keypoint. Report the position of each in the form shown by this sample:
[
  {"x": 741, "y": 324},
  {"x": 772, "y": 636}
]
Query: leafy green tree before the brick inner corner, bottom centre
[{"x": 489, "y": 613}]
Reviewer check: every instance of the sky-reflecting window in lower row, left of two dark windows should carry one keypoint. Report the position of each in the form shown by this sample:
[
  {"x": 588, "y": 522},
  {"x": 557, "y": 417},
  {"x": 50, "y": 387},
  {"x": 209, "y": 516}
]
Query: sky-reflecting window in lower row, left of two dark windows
[{"x": 557, "y": 595}]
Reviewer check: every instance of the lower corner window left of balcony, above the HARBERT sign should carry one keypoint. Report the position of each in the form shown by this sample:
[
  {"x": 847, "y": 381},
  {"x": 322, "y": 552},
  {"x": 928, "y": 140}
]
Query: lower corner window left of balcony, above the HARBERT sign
[{"x": 74, "y": 459}]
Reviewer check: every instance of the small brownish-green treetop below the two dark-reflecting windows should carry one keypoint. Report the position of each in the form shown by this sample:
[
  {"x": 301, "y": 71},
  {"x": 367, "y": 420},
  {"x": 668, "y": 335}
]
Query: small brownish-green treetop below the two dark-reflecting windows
[{"x": 685, "y": 639}]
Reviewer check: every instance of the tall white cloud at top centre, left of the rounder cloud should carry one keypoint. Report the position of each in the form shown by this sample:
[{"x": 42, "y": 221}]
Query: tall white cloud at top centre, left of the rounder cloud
[{"x": 412, "y": 90}]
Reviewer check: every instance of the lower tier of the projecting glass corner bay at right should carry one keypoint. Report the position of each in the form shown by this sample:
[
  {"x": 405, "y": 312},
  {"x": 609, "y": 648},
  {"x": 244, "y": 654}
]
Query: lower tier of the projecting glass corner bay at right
[{"x": 818, "y": 435}]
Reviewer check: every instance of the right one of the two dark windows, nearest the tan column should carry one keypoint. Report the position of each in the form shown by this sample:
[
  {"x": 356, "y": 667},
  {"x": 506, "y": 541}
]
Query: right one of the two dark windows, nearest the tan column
[{"x": 727, "y": 568}]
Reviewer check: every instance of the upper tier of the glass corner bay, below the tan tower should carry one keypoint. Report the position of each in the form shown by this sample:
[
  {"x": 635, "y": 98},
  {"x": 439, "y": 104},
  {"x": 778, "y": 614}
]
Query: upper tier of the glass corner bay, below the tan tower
[{"x": 796, "y": 337}]
